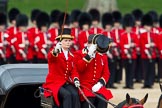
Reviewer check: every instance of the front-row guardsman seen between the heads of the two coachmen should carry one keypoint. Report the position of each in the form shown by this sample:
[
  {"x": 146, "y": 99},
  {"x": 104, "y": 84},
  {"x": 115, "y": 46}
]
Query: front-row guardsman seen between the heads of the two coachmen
[{"x": 84, "y": 24}]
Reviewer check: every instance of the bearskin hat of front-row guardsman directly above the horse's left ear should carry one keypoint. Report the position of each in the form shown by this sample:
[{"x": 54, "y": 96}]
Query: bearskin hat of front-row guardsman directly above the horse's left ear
[{"x": 128, "y": 20}]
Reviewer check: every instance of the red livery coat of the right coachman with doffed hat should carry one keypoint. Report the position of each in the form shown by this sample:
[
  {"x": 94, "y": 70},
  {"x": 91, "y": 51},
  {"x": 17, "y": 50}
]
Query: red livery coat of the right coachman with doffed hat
[{"x": 90, "y": 72}]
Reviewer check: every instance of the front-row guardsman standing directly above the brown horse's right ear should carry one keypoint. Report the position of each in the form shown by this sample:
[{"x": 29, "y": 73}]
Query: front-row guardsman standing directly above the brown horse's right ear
[{"x": 148, "y": 44}]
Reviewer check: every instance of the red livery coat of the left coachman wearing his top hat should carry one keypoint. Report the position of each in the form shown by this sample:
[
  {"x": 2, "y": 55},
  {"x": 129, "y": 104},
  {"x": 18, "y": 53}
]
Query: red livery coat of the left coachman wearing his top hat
[{"x": 60, "y": 71}]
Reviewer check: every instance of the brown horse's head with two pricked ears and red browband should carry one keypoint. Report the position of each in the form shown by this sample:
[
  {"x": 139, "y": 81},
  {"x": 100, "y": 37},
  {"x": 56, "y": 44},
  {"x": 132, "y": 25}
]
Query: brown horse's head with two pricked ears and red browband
[{"x": 132, "y": 102}]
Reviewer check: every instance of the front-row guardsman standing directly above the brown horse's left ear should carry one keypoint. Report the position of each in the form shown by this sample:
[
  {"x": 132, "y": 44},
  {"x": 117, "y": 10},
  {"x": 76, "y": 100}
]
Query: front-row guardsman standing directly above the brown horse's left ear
[{"x": 129, "y": 44}]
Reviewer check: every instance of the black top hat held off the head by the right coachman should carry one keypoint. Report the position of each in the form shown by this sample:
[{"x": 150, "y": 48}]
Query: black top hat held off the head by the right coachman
[{"x": 102, "y": 42}]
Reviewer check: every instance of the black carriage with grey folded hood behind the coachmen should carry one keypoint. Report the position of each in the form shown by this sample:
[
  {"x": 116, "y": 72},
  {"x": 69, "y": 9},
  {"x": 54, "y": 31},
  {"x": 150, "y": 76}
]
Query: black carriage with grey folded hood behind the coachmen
[{"x": 19, "y": 83}]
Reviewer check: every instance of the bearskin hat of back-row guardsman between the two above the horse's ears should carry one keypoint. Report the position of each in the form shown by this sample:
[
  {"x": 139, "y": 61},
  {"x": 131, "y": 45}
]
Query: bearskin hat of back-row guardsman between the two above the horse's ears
[{"x": 138, "y": 14}]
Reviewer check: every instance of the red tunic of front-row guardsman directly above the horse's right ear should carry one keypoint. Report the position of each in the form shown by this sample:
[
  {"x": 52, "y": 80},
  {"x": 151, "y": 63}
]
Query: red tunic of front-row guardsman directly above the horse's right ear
[{"x": 144, "y": 41}]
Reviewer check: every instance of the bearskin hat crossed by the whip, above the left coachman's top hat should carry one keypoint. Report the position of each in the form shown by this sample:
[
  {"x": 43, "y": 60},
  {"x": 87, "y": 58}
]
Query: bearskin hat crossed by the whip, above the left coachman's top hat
[{"x": 61, "y": 19}]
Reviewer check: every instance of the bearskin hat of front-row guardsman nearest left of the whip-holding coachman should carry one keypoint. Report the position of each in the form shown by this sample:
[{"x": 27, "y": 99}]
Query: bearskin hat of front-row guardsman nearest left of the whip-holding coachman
[{"x": 42, "y": 20}]
